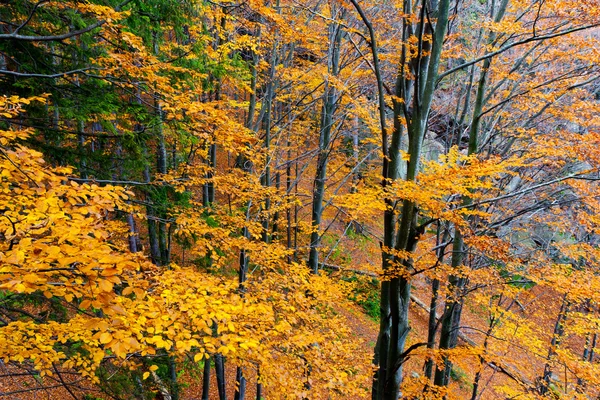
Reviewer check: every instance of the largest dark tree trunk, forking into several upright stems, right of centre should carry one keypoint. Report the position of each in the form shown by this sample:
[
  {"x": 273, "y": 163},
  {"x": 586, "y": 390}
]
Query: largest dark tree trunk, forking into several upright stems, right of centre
[{"x": 395, "y": 293}]
